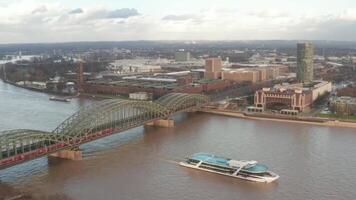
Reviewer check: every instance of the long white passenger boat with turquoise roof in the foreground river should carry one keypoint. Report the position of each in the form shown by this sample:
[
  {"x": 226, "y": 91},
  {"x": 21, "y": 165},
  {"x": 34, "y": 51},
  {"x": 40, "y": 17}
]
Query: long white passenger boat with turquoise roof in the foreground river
[{"x": 243, "y": 169}]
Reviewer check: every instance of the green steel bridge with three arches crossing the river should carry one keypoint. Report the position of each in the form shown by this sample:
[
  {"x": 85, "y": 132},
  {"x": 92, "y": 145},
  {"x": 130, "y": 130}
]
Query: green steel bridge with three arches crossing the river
[{"x": 91, "y": 123}]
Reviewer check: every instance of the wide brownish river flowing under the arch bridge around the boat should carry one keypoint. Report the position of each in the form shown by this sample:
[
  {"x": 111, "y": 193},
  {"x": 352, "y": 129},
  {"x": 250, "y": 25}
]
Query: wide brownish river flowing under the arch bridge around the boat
[{"x": 314, "y": 162}]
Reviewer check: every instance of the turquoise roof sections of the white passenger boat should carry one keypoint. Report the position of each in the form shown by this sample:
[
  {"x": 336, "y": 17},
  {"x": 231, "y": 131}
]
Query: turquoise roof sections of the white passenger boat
[{"x": 224, "y": 162}]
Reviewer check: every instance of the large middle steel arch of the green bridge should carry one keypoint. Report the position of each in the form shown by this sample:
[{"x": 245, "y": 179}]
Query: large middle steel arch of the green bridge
[{"x": 116, "y": 114}]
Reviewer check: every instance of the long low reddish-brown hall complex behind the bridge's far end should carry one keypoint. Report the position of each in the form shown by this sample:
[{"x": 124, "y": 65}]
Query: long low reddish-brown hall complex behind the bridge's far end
[{"x": 158, "y": 84}]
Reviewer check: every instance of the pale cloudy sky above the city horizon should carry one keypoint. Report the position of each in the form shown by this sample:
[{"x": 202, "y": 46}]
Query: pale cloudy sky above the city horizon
[{"x": 33, "y": 21}]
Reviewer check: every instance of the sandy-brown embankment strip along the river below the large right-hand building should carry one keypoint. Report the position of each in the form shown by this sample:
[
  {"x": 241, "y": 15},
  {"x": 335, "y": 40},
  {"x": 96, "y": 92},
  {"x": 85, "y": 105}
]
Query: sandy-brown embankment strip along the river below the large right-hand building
[{"x": 301, "y": 120}]
